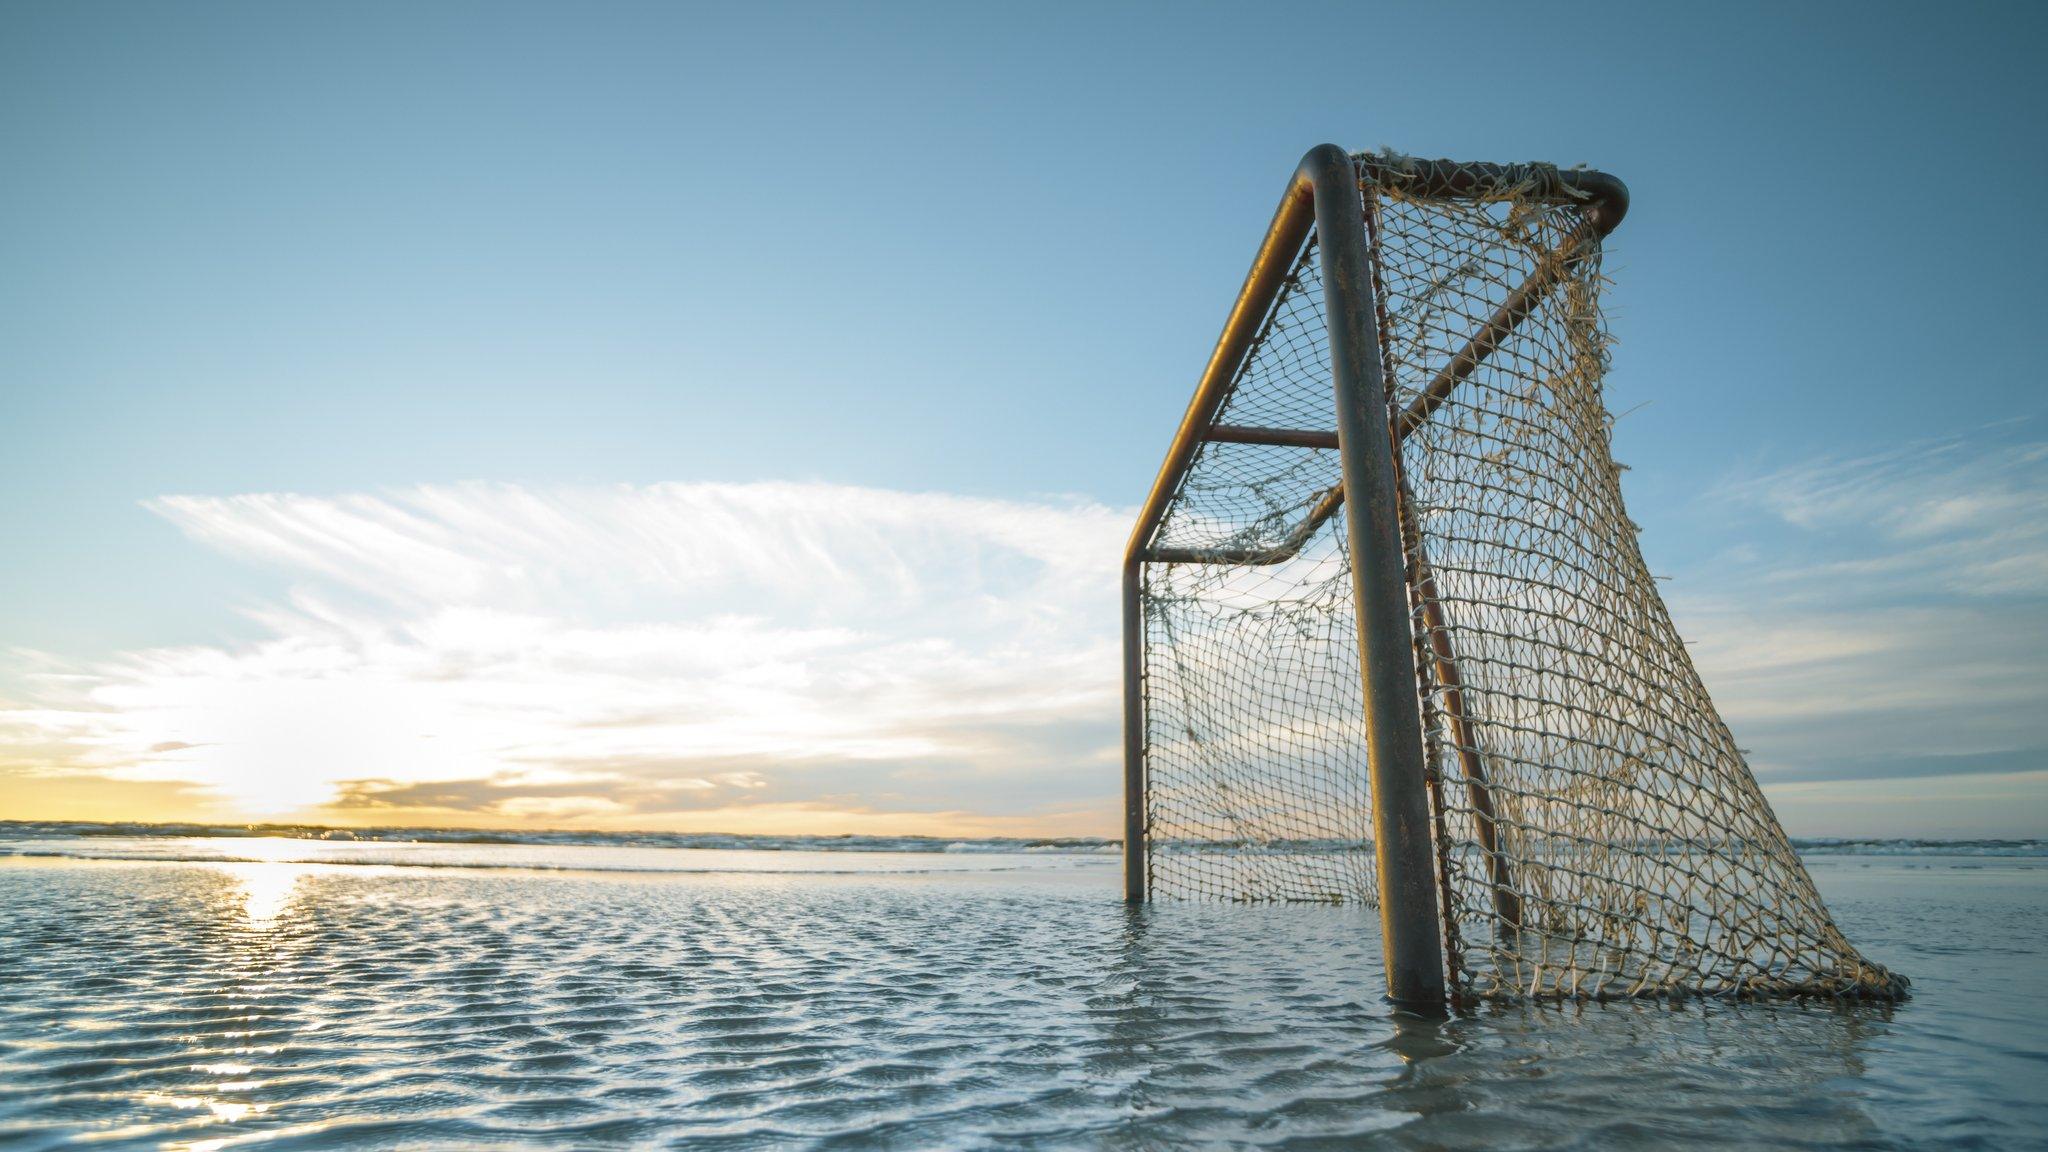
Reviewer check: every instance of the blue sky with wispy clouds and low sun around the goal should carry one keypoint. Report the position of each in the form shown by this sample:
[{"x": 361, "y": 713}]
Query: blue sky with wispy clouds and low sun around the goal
[{"x": 730, "y": 417}]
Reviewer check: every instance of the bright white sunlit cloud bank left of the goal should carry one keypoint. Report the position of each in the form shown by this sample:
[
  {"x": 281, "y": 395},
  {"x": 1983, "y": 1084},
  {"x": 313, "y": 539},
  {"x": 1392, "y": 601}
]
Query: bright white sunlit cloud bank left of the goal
[{"x": 632, "y": 655}]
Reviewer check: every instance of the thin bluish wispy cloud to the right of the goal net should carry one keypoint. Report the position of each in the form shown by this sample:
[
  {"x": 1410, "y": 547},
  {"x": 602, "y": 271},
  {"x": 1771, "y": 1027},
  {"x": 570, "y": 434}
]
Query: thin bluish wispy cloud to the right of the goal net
[{"x": 1893, "y": 620}]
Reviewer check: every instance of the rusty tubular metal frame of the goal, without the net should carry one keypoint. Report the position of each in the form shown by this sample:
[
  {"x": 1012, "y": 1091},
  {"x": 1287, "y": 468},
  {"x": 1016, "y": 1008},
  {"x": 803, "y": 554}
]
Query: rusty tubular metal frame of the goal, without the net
[{"x": 1326, "y": 196}]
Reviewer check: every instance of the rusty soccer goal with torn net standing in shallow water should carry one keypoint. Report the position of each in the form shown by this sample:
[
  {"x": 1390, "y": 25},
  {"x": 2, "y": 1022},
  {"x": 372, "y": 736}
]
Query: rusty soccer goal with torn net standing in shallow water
[{"x": 1390, "y": 636}]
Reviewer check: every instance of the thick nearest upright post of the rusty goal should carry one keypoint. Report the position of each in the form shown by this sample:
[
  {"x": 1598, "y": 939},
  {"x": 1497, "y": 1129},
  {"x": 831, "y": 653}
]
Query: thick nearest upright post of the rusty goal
[{"x": 1402, "y": 829}]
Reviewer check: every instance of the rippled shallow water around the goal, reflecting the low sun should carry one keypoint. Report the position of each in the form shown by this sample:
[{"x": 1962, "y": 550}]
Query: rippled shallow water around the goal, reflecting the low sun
[{"x": 1005, "y": 1001}]
